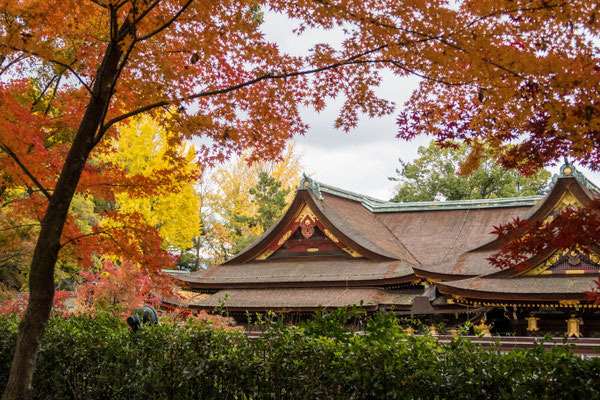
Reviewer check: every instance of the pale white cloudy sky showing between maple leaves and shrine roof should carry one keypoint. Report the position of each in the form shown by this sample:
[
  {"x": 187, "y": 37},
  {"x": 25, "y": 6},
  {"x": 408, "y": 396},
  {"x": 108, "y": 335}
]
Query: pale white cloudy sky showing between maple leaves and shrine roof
[{"x": 362, "y": 160}]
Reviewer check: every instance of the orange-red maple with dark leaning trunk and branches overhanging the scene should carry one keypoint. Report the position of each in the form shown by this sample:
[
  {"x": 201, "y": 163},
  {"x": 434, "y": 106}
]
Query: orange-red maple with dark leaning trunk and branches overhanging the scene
[{"x": 493, "y": 71}]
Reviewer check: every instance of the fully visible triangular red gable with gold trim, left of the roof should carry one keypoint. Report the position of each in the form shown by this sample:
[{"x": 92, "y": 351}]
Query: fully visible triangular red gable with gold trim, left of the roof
[{"x": 306, "y": 236}]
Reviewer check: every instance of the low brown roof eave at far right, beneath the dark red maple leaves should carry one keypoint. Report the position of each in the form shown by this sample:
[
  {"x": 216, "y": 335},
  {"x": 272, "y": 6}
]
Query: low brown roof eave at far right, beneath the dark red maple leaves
[{"x": 521, "y": 289}]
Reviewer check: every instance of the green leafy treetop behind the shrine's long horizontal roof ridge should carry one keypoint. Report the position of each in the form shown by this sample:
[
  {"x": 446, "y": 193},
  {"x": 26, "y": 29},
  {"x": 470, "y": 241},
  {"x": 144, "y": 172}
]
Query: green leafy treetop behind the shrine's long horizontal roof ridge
[{"x": 435, "y": 173}]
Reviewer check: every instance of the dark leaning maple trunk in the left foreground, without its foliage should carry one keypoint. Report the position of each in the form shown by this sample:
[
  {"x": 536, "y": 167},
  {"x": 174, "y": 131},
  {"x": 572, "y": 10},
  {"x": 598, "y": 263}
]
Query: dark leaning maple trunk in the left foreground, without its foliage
[{"x": 41, "y": 277}]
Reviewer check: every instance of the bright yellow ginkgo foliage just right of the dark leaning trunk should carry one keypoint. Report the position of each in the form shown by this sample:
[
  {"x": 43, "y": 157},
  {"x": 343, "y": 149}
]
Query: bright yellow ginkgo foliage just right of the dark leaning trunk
[{"x": 146, "y": 149}]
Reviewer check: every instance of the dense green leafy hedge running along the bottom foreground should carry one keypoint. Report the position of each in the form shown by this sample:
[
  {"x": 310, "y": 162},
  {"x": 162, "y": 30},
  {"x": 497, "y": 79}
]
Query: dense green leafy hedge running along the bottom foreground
[{"x": 100, "y": 358}]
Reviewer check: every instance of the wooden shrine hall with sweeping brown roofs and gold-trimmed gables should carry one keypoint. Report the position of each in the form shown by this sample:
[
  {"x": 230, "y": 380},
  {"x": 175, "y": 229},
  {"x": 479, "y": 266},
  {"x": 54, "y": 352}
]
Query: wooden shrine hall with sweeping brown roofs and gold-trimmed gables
[{"x": 428, "y": 260}]
